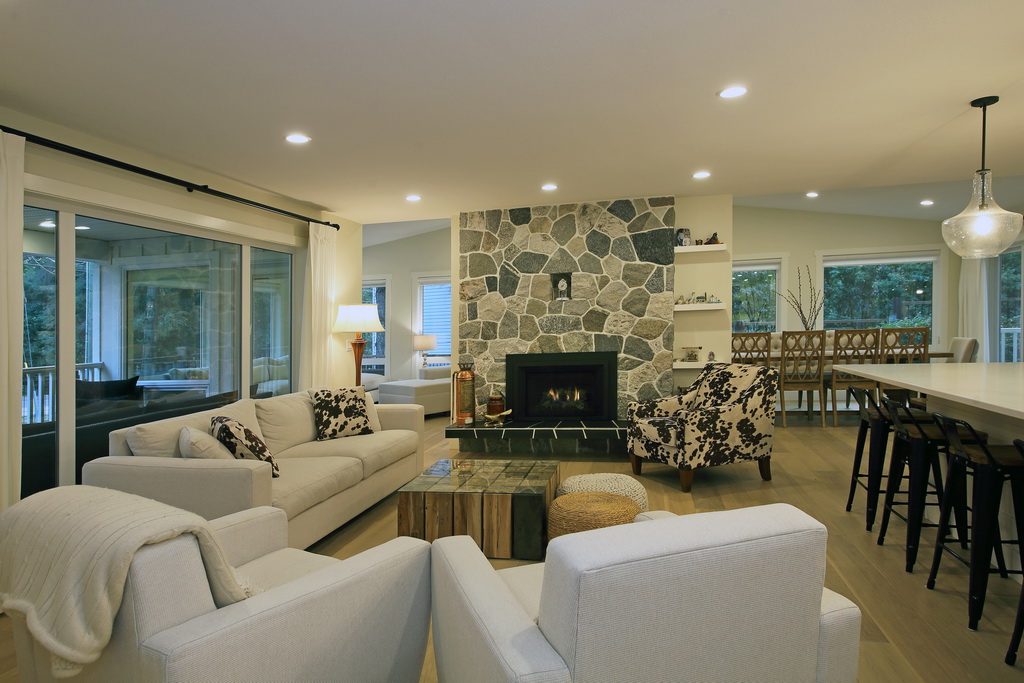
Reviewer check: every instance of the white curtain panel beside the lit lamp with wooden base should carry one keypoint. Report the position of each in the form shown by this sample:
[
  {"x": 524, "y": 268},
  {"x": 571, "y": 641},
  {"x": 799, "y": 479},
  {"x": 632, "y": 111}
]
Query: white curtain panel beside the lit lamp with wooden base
[{"x": 323, "y": 250}]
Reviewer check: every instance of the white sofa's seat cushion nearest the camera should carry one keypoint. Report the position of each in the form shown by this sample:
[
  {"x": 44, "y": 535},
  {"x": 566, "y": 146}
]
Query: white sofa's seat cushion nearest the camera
[{"x": 307, "y": 482}]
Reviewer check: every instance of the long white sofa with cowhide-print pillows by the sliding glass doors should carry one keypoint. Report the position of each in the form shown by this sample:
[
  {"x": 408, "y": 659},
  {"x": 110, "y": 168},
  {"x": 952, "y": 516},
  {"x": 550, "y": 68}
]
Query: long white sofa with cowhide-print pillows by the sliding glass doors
[{"x": 323, "y": 485}]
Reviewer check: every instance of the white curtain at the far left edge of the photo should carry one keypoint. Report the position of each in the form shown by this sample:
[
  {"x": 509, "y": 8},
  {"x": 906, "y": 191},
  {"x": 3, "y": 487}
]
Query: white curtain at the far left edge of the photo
[{"x": 12, "y": 313}]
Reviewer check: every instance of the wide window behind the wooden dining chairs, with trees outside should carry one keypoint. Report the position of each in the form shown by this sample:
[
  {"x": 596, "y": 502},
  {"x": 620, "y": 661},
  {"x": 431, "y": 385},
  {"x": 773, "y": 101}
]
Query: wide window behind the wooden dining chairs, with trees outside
[{"x": 873, "y": 291}]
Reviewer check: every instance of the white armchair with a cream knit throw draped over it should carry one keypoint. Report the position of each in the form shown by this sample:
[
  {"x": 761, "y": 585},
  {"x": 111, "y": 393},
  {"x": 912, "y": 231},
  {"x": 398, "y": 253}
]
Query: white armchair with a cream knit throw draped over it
[{"x": 320, "y": 619}]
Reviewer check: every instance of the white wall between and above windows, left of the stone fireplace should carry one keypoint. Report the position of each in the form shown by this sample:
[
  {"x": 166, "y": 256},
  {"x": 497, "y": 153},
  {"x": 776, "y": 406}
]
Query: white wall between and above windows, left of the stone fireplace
[{"x": 402, "y": 262}]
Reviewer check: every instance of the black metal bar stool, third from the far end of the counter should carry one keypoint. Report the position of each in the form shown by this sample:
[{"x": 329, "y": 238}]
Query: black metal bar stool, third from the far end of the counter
[{"x": 992, "y": 465}]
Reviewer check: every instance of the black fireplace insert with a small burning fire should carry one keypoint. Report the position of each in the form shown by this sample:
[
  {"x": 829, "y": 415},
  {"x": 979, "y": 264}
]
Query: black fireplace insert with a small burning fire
[{"x": 563, "y": 387}]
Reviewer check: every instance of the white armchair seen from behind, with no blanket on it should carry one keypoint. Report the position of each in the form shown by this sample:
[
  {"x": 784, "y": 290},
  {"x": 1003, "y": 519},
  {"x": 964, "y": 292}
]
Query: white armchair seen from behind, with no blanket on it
[{"x": 719, "y": 596}]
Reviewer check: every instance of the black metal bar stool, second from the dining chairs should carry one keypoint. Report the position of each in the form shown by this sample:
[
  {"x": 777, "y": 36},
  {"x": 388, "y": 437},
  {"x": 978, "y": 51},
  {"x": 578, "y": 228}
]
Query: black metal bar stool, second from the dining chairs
[{"x": 921, "y": 457}]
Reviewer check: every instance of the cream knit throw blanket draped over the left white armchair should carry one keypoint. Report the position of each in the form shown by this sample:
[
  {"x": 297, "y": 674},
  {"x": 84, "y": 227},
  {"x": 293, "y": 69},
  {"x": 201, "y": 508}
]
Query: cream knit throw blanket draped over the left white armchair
[{"x": 65, "y": 556}]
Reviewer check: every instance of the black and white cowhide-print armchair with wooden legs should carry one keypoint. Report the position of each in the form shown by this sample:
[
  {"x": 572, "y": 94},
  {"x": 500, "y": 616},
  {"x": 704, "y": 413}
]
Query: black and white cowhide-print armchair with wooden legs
[{"x": 728, "y": 415}]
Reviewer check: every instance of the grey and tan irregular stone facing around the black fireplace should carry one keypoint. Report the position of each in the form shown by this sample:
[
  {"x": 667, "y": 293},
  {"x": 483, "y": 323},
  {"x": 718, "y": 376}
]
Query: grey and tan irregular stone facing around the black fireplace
[{"x": 621, "y": 255}]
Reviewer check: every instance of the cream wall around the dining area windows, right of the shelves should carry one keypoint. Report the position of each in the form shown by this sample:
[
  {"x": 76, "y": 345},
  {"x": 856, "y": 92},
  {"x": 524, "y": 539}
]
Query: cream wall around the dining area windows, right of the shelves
[{"x": 801, "y": 237}]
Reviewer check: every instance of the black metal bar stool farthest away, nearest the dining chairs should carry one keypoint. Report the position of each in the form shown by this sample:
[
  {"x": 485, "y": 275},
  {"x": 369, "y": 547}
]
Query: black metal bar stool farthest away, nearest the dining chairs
[{"x": 875, "y": 429}]
